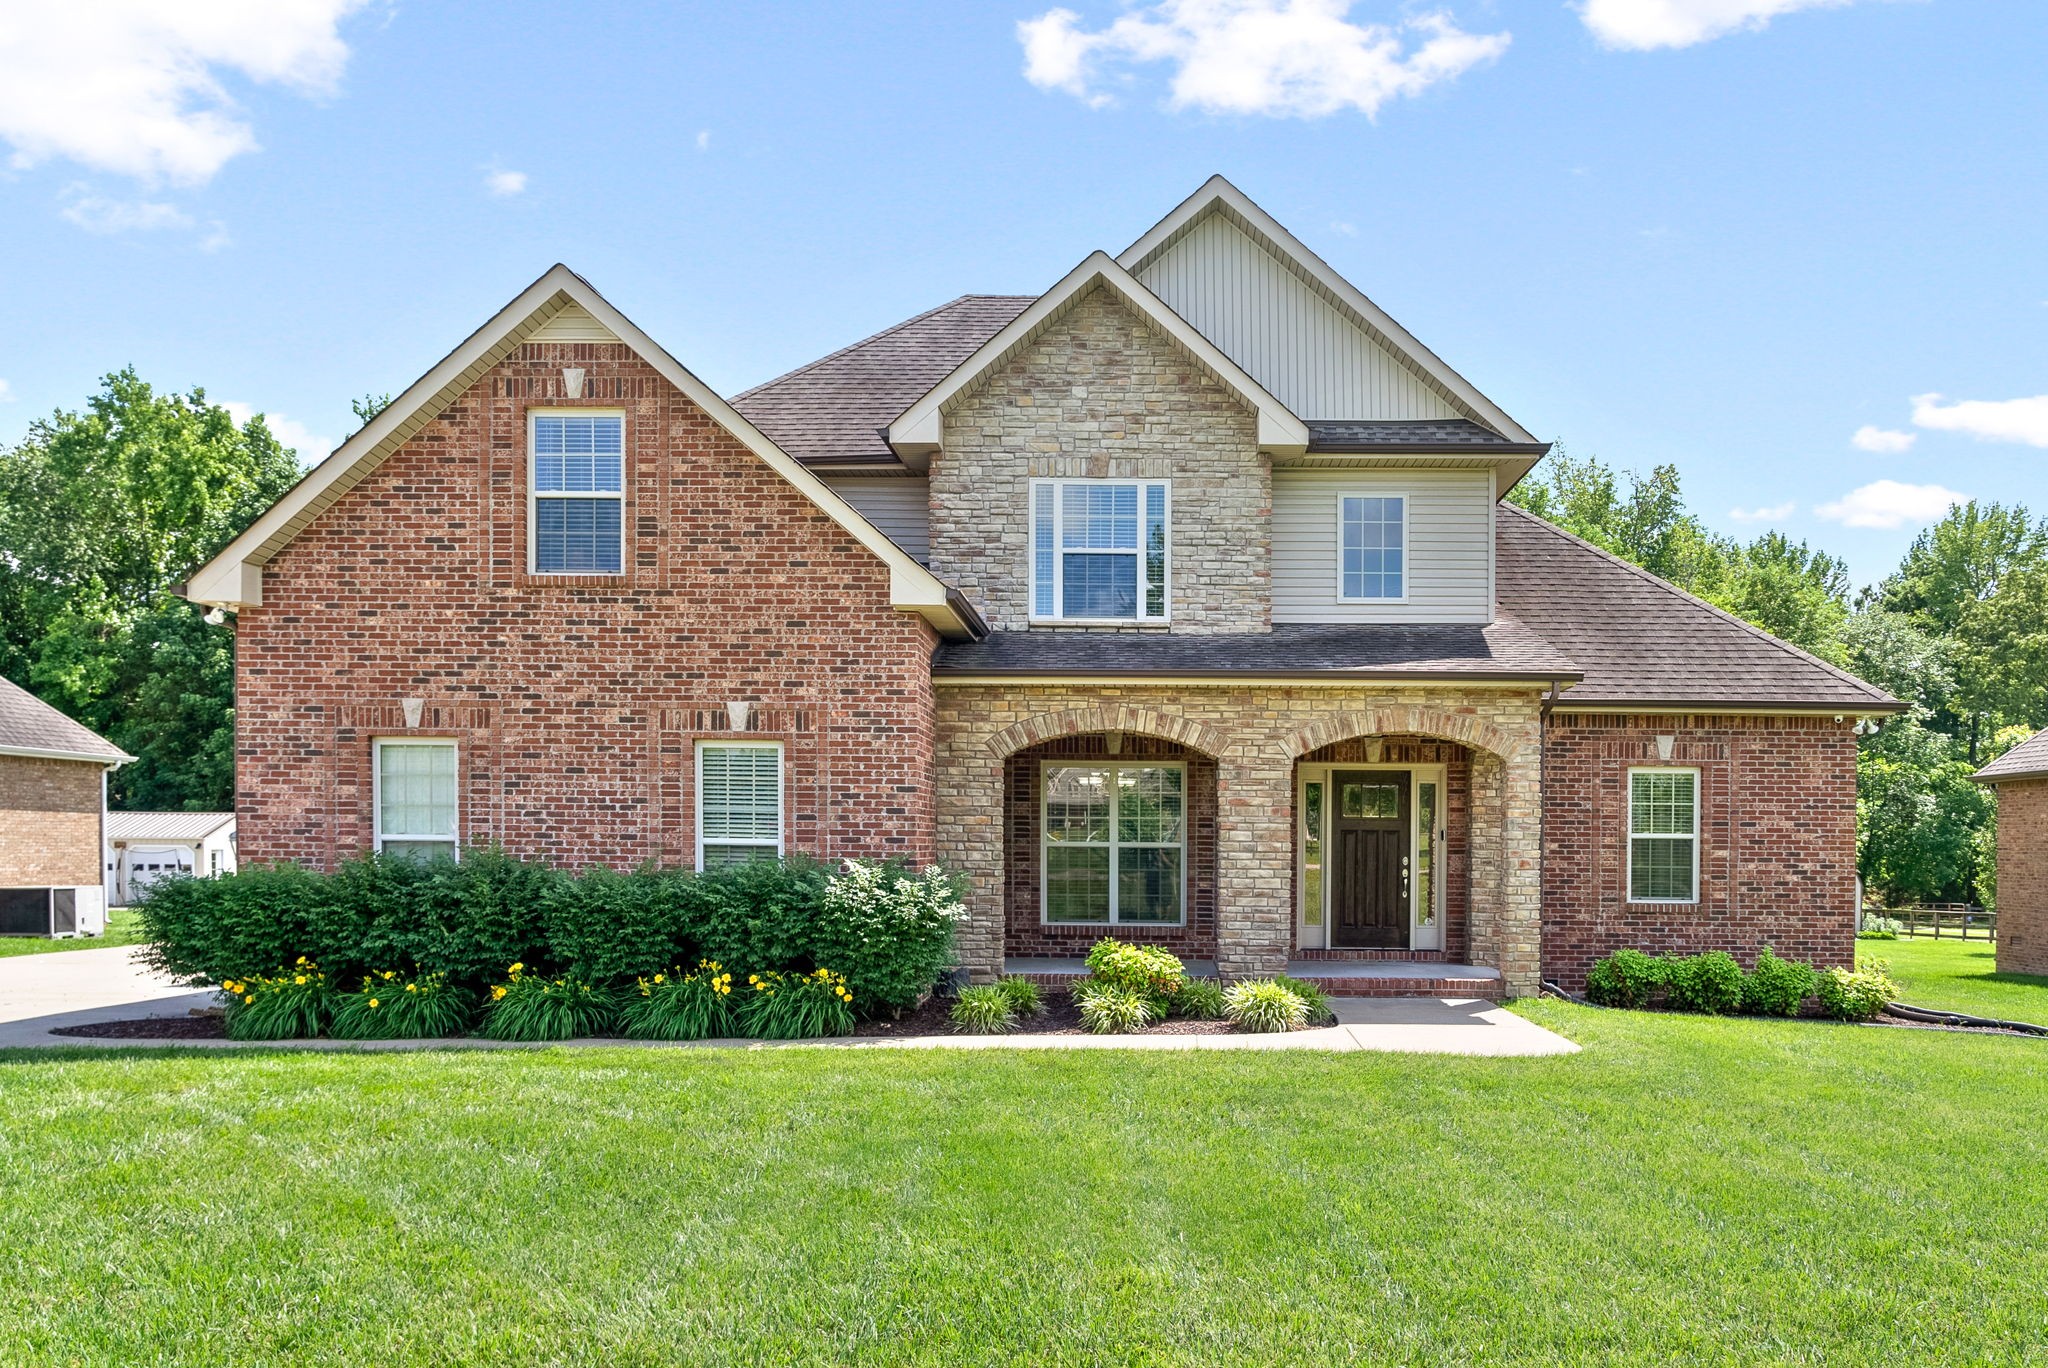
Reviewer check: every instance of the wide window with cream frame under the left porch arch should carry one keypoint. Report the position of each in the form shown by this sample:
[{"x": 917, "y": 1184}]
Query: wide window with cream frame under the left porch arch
[{"x": 1115, "y": 843}]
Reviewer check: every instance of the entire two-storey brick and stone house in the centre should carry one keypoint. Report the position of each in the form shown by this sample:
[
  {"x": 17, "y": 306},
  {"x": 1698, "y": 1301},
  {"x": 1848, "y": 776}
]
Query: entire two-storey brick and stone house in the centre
[{"x": 1177, "y": 603}]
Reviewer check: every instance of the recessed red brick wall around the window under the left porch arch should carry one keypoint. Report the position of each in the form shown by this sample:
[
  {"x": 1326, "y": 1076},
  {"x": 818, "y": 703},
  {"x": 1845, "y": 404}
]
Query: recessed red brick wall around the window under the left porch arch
[{"x": 1025, "y": 933}]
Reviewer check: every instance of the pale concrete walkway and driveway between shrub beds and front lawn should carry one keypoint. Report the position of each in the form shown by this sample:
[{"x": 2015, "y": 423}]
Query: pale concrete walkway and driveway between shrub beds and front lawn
[{"x": 40, "y": 992}]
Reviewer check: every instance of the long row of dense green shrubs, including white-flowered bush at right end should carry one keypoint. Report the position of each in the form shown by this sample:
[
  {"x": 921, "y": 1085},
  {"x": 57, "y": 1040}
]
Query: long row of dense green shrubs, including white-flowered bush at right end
[{"x": 886, "y": 929}]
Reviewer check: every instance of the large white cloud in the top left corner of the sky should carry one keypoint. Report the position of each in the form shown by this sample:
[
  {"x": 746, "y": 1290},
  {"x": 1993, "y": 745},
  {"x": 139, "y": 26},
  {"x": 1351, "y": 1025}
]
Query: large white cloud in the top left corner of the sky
[{"x": 134, "y": 87}]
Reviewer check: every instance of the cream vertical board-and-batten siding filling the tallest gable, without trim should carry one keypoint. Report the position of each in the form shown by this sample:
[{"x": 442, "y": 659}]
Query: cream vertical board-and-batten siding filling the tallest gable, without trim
[{"x": 1283, "y": 333}]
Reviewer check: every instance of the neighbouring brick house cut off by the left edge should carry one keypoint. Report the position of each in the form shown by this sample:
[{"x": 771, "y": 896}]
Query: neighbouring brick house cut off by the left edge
[{"x": 52, "y": 820}]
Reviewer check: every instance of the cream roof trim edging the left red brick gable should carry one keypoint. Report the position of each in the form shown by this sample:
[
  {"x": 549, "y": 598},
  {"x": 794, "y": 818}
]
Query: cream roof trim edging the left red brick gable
[{"x": 234, "y": 579}]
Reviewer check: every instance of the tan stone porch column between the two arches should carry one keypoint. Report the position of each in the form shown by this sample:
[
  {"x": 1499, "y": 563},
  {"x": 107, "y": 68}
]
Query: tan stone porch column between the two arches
[{"x": 1254, "y": 865}]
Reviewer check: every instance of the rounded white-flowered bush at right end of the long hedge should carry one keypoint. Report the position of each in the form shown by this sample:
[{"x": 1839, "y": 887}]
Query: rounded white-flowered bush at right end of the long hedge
[{"x": 888, "y": 929}]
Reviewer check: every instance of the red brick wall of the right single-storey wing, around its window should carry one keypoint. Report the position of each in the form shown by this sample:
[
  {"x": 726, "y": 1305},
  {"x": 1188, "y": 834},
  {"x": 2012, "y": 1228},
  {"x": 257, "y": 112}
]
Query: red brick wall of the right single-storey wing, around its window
[{"x": 1777, "y": 841}]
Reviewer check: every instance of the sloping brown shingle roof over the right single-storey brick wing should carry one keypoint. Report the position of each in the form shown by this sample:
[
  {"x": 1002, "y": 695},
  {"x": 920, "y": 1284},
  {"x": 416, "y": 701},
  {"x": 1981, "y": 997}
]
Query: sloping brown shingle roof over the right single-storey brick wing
[{"x": 1646, "y": 642}]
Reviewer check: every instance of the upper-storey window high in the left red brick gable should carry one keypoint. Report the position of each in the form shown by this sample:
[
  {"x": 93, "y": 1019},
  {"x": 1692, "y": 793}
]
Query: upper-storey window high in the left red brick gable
[{"x": 579, "y": 495}]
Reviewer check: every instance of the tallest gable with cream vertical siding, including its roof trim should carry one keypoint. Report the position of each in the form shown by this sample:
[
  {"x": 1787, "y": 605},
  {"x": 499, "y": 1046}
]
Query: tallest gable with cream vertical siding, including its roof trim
[{"x": 1230, "y": 269}]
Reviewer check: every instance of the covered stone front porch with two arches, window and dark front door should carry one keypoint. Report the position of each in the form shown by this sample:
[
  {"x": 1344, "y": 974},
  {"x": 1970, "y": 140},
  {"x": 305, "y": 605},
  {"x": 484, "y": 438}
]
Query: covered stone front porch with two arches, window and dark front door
[{"x": 1375, "y": 851}]
